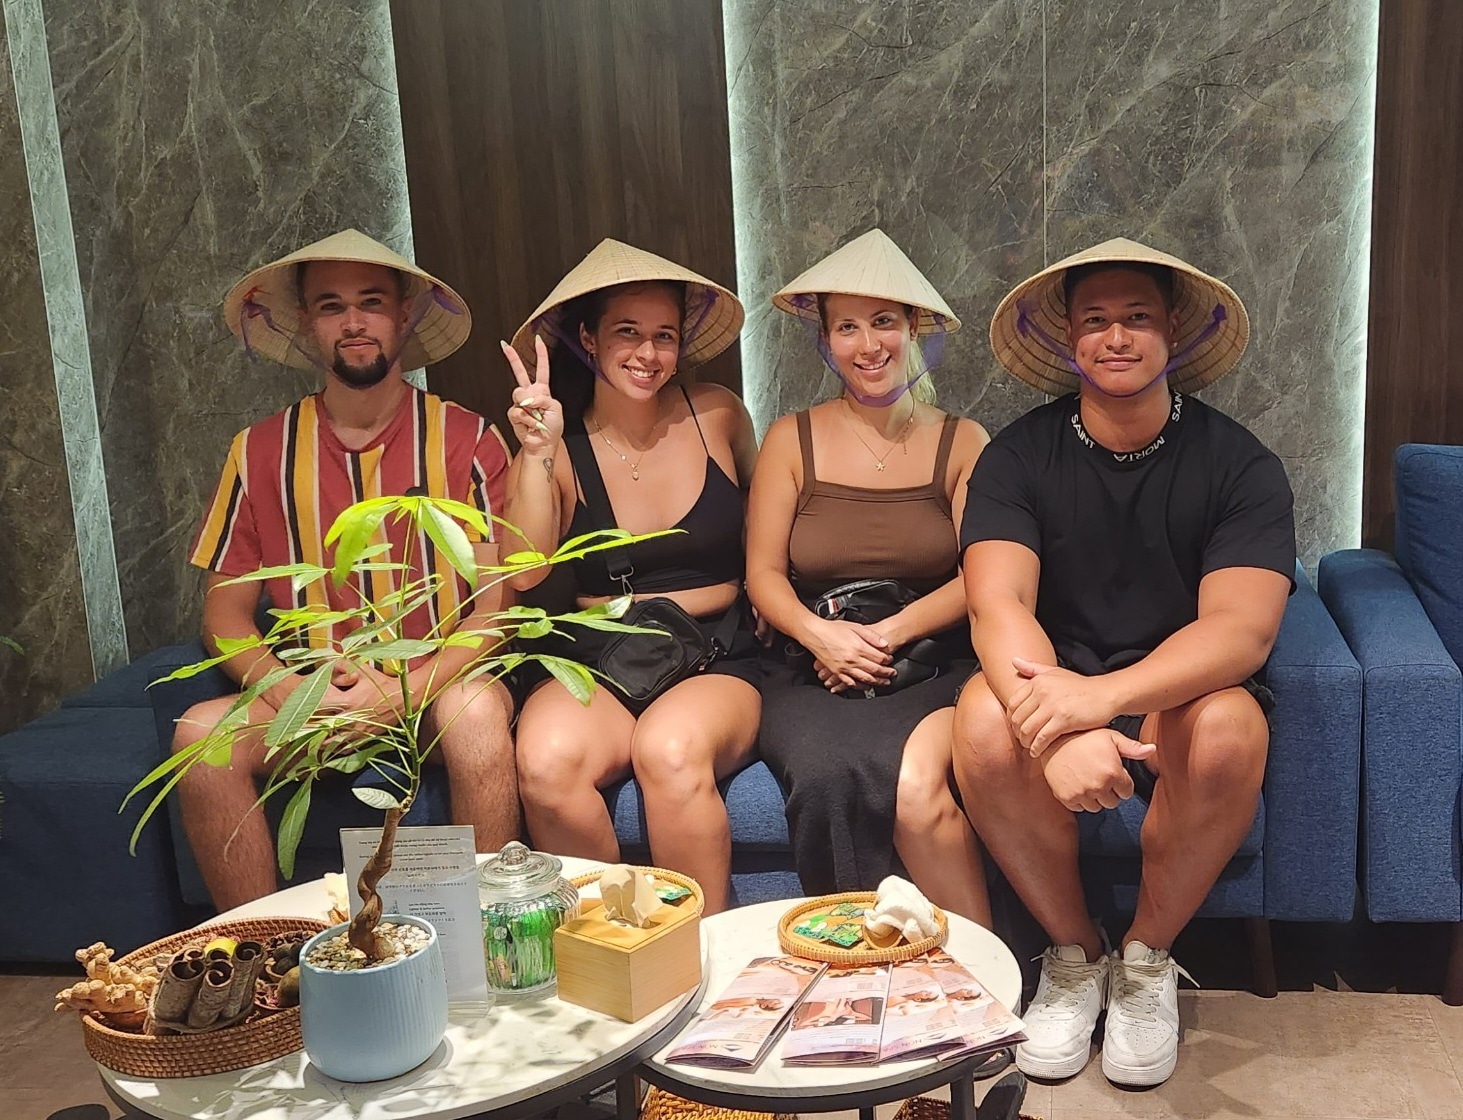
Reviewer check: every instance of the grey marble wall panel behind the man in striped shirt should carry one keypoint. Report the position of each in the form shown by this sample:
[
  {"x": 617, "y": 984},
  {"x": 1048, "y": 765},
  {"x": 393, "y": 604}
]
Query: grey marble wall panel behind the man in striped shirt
[{"x": 201, "y": 140}]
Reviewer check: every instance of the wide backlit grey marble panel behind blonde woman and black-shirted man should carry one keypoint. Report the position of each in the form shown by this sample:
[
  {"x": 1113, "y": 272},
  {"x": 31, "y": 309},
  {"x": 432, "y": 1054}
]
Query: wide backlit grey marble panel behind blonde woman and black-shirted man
[{"x": 994, "y": 137}]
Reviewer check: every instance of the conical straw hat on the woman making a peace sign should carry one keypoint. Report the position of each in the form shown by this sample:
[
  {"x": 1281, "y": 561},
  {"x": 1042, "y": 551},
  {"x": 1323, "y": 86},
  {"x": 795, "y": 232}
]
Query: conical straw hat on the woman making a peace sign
[{"x": 713, "y": 314}]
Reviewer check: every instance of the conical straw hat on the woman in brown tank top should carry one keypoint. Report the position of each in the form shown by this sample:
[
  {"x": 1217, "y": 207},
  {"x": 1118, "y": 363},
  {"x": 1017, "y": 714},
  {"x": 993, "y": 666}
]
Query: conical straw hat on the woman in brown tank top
[{"x": 870, "y": 265}]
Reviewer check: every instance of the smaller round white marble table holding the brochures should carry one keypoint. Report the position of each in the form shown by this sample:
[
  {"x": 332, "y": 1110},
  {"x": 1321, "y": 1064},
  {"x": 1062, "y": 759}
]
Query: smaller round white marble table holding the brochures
[{"x": 738, "y": 937}]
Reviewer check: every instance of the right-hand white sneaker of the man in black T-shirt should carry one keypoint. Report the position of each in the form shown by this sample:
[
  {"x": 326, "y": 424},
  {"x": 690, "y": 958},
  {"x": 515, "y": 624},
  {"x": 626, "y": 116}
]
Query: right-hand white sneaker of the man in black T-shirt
[{"x": 1142, "y": 1039}]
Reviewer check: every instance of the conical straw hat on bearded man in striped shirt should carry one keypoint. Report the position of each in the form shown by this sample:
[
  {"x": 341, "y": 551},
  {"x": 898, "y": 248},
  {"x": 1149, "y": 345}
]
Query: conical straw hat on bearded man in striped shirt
[{"x": 264, "y": 308}]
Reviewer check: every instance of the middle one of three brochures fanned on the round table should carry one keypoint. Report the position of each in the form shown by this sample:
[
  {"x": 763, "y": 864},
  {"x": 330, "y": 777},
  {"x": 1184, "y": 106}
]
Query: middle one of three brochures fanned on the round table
[{"x": 840, "y": 1021}]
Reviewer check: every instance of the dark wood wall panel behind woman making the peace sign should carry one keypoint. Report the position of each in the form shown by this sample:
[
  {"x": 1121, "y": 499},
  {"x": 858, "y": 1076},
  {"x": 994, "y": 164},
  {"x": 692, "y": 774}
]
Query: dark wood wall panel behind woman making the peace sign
[{"x": 538, "y": 128}]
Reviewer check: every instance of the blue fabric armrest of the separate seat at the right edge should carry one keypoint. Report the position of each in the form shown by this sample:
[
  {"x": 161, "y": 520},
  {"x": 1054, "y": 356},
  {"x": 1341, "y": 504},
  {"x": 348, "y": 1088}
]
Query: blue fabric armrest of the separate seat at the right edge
[{"x": 1413, "y": 726}]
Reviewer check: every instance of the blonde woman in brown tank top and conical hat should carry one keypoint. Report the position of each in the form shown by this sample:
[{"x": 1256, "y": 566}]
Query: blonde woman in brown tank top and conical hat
[{"x": 868, "y": 486}]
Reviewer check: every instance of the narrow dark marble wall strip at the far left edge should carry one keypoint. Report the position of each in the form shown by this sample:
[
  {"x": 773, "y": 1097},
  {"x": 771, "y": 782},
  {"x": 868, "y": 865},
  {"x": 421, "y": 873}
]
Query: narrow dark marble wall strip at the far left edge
[{"x": 40, "y": 578}]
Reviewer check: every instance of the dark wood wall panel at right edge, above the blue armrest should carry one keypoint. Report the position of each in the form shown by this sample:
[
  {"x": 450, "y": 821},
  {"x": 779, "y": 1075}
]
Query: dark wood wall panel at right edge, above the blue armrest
[{"x": 1415, "y": 336}]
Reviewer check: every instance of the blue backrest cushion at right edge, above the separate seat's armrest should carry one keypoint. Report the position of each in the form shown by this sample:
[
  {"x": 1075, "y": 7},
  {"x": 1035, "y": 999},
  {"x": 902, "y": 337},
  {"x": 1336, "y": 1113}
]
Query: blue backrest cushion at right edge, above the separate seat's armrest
[{"x": 1430, "y": 534}]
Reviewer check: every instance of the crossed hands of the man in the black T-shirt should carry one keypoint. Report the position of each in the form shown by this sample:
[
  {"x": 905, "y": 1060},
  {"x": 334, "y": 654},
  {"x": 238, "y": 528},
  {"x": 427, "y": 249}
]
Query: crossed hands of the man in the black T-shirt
[{"x": 1061, "y": 719}]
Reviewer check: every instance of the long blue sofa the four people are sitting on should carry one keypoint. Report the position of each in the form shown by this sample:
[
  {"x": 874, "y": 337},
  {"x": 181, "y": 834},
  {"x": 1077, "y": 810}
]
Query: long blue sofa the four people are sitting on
[{"x": 65, "y": 776}]
